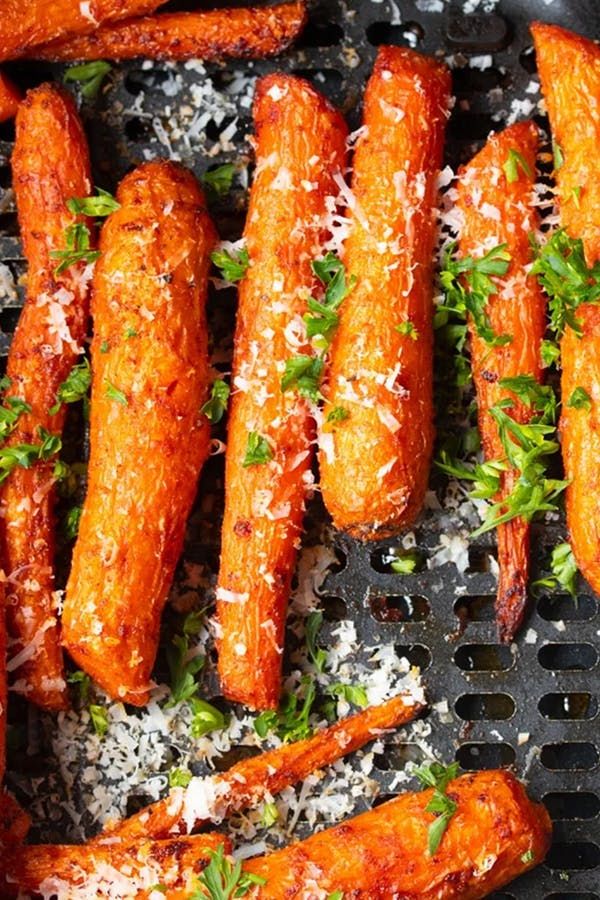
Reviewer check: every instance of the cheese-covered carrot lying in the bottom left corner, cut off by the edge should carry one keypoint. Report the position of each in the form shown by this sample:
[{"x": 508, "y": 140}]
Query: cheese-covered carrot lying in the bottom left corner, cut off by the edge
[{"x": 110, "y": 868}]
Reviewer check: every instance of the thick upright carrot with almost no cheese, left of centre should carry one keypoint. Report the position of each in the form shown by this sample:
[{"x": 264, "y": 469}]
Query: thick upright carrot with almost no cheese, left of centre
[{"x": 148, "y": 440}]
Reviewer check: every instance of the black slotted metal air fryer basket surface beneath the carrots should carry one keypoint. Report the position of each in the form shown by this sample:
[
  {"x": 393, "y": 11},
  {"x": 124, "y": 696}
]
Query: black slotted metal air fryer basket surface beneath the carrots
[{"x": 532, "y": 706}]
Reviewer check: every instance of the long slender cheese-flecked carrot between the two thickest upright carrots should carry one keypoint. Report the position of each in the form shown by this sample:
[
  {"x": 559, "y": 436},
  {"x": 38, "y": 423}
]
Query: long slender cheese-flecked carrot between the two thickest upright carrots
[{"x": 300, "y": 146}]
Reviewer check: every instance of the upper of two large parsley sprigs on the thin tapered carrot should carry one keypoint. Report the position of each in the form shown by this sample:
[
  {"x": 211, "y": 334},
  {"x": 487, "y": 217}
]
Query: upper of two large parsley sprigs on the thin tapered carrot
[{"x": 467, "y": 287}]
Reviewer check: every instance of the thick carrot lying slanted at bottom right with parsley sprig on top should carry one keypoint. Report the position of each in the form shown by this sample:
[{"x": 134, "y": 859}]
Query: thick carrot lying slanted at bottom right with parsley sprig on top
[{"x": 496, "y": 834}]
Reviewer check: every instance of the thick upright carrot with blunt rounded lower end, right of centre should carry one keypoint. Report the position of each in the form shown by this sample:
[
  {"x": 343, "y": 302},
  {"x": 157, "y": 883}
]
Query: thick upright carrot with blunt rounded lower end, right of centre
[{"x": 375, "y": 463}]
